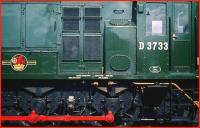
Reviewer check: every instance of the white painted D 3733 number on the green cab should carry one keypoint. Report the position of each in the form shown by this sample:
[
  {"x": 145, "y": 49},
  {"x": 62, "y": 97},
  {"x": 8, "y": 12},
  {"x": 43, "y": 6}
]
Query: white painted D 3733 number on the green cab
[{"x": 153, "y": 46}]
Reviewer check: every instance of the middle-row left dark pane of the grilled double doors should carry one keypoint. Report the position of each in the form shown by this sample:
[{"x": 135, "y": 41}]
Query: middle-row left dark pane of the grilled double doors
[{"x": 71, "y": 25}]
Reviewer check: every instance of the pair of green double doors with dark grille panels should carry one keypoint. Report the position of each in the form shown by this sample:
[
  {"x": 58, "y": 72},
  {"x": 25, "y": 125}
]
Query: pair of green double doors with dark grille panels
[{"x": 81, "y": 47}]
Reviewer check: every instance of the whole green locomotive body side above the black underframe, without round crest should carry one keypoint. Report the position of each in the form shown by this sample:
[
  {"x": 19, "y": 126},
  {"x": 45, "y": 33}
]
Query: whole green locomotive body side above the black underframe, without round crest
[{"x": 128, "y": 48}]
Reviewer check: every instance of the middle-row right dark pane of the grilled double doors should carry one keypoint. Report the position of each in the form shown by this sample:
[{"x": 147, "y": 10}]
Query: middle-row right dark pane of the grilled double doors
[{"x": 92, "y": 25}]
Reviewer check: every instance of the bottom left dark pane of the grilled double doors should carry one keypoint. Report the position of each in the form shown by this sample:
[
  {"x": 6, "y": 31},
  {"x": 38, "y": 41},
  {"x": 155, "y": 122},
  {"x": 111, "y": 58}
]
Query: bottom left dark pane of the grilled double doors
[{"x": 70, "y": 47}]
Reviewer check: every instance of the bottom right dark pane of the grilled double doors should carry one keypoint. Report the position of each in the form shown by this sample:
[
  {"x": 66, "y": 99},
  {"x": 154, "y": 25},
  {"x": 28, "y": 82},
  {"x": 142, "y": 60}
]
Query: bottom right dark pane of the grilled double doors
[{"x": 92, "y": 48}]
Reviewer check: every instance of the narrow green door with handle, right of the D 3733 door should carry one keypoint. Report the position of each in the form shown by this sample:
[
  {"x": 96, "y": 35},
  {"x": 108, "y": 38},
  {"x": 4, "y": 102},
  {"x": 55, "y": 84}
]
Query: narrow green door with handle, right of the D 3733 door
[{"x": 181, "y": 41}]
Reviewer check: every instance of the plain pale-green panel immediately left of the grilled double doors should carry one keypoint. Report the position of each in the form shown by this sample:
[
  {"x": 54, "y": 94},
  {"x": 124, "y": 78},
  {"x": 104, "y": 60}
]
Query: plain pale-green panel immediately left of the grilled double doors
[{"x": 41, "y": 25}]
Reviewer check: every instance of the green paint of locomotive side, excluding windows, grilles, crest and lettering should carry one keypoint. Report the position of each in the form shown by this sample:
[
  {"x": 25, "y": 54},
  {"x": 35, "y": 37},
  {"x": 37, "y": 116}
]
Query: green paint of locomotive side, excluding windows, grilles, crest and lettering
[{"x": 35, "y": 30}]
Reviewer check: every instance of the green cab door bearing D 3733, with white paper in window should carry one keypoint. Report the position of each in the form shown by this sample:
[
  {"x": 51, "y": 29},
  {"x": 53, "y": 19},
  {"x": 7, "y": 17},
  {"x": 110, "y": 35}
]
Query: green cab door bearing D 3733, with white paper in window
[{"x": 152, "y": 38}]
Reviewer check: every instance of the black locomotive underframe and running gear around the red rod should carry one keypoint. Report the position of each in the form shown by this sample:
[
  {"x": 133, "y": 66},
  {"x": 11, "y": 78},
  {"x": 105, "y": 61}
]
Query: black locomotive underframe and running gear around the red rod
[{"x": 131, "y": 103}]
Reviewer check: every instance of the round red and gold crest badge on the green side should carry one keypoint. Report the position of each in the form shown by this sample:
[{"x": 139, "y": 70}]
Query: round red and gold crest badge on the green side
[{"x": 18, "y": 62}]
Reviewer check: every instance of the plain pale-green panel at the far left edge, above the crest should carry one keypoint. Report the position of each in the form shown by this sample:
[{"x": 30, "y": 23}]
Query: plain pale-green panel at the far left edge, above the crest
[{"x": 11, "y": 27}]
